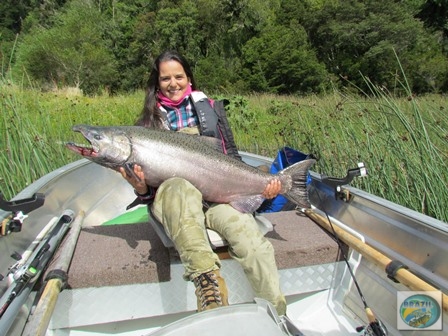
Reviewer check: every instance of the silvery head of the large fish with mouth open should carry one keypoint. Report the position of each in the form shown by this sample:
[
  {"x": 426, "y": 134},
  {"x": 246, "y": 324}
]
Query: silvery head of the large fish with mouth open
[{"x": 108, "y": 146}]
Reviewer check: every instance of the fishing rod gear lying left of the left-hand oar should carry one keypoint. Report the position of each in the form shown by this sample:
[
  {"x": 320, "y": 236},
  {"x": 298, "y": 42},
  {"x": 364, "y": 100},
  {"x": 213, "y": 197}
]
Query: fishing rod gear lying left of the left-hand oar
[{"x": 26, "y": 276}]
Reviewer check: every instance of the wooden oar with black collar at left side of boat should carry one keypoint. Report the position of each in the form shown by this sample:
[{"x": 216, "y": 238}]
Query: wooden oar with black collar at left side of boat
[{"x": 56, "y": 280}]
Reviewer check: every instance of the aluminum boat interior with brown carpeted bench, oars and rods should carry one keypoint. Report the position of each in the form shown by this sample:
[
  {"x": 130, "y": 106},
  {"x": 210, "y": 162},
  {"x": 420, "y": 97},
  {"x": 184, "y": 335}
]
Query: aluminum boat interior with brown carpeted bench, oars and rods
[{"x": 74, "y": 261}]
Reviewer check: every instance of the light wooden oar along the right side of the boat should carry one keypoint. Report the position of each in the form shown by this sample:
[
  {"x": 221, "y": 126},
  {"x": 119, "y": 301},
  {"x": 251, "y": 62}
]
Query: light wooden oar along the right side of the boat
[{"x": 402, "y": 275}]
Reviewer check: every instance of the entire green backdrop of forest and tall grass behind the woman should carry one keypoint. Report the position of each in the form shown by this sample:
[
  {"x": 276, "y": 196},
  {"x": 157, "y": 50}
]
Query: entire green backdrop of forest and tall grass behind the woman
[{"x": 345, "y": 80}]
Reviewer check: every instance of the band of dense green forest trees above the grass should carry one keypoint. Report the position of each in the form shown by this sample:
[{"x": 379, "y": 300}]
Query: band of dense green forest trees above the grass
[{"x": 281, "y": 46}]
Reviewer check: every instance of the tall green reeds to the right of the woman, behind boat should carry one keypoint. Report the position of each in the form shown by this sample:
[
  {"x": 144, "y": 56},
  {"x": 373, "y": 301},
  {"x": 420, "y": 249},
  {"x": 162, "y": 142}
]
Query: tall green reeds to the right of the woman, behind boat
[{"x": 401, "y": 140}]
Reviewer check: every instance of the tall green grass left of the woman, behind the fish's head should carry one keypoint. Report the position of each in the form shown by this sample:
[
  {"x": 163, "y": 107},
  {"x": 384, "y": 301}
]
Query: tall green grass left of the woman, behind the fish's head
[{"x": 36, "y": 125}]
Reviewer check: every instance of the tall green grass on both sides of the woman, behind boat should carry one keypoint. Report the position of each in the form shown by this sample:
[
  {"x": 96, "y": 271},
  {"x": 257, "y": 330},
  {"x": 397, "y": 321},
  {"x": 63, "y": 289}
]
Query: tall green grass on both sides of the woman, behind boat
[{"x": 401, "y": 140}]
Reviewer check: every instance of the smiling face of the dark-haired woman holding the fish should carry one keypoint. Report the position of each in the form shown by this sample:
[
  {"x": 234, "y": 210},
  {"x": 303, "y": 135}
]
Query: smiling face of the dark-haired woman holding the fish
[{"x": 173, "y": 81}]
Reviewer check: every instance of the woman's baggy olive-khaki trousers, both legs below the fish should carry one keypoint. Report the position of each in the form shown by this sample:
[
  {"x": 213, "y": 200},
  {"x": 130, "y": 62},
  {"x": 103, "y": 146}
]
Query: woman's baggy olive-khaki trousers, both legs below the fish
[{"x": 178, "y": 206}]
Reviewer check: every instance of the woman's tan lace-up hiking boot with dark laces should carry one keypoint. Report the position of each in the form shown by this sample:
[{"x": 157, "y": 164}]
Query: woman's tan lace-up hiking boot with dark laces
[{"x": 211, "y": 290}]
